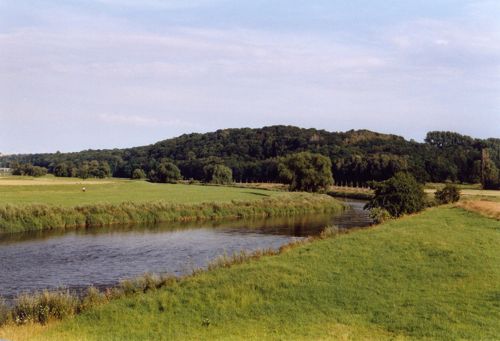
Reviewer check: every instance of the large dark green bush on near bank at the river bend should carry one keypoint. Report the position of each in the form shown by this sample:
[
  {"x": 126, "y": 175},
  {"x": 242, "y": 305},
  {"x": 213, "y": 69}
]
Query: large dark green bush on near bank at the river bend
[{"x": 399, "y": 195}]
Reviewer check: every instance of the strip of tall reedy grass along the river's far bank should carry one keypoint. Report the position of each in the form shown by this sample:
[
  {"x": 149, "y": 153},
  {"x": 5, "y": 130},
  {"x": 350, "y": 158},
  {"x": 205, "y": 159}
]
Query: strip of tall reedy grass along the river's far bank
[{"x": 29, "y": 217}]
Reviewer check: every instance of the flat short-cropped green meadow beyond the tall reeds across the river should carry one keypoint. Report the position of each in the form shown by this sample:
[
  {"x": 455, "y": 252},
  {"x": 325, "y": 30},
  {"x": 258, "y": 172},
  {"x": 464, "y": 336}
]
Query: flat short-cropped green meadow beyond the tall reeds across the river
[{"x": 54, "y": 192}]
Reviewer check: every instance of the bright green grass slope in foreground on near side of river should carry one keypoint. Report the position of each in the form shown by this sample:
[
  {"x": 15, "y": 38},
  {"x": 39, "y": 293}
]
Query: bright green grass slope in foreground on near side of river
[{"x": 435, "y": 275}]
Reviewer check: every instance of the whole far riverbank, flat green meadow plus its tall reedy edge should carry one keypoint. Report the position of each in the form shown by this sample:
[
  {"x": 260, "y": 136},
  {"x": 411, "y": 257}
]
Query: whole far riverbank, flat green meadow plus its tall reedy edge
[{"x": 55, "y": 204}]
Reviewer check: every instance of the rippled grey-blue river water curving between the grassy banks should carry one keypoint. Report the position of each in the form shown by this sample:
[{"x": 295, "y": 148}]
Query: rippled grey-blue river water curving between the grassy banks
[{"x": 103, "y": 256}]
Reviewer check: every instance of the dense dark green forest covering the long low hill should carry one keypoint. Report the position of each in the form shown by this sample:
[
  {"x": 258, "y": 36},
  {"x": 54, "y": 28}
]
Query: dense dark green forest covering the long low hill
[{"x": 357, "y": 156}]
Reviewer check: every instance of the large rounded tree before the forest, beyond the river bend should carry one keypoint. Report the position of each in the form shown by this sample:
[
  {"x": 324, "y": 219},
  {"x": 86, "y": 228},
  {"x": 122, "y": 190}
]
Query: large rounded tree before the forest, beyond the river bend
[{"x": 306, "y": 172}]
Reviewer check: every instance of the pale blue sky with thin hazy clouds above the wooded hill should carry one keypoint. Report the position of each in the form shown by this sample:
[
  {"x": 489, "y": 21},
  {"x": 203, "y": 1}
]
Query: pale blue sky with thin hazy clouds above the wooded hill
[{"x": 100, "y": 74}]
